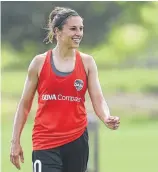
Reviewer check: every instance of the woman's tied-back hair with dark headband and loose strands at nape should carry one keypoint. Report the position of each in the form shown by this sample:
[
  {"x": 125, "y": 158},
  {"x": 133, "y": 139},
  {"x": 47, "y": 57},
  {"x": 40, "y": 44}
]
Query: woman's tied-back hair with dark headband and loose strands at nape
[{"x": 57, "y": 18}]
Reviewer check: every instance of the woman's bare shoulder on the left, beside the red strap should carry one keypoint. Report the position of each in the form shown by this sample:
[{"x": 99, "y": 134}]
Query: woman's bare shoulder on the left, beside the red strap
[{"x": 37, "y": 63}]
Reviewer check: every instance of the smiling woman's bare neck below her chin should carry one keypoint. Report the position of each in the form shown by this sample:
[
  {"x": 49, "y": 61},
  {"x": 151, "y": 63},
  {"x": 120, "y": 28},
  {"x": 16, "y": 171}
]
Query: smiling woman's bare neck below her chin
[{"x": 64, "y": 52}]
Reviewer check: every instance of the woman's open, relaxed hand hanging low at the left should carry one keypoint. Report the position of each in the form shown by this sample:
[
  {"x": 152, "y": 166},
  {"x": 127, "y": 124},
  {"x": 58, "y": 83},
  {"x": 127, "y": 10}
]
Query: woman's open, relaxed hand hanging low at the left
[{"x": 16, "y": 153}]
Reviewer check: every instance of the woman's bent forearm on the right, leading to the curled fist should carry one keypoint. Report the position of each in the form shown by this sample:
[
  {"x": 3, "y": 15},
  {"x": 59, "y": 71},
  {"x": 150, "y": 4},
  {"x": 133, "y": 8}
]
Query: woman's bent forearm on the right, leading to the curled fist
[{"x": 101, "y": 109}]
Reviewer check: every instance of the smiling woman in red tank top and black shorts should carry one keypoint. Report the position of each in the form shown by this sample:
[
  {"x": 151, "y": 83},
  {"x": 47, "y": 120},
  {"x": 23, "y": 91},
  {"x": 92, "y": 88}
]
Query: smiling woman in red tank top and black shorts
[{"x": 61, "y": 77}]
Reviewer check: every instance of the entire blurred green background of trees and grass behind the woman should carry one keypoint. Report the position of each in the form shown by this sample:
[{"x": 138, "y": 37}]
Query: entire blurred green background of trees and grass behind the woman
[{"x": 123, "y": 39}]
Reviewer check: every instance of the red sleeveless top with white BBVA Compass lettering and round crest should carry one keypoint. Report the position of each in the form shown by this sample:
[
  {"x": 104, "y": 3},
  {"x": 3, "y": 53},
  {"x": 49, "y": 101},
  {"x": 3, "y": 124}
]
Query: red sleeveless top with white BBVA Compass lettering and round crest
[{"x": 61, "y": 115}]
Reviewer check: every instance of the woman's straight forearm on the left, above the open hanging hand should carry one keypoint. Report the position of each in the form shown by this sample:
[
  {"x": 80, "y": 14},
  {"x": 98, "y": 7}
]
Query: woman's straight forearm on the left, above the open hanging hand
[{"x": 19, "y": 121}]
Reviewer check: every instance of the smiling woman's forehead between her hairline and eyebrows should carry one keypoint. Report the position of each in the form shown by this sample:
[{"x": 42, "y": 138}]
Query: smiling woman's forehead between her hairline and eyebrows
[{"x": 74, "y": 21}]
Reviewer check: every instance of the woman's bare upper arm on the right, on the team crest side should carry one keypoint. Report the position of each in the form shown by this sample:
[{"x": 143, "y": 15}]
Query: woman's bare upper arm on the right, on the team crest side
[{"x": 94, "y": 87}]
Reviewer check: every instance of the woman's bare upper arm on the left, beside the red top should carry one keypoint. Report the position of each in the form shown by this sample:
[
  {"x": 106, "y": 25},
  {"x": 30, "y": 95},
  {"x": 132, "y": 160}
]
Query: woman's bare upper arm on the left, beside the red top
[{"x": 31, "y": 82}]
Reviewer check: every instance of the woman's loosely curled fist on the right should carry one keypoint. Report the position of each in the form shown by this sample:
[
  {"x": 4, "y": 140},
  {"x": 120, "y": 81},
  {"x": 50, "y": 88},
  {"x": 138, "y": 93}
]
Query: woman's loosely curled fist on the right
[{"x": 112, "y": 122}]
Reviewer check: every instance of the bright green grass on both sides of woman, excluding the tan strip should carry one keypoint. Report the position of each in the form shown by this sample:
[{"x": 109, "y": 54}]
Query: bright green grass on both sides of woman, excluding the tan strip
[{"x": 133, "y": 148}]
